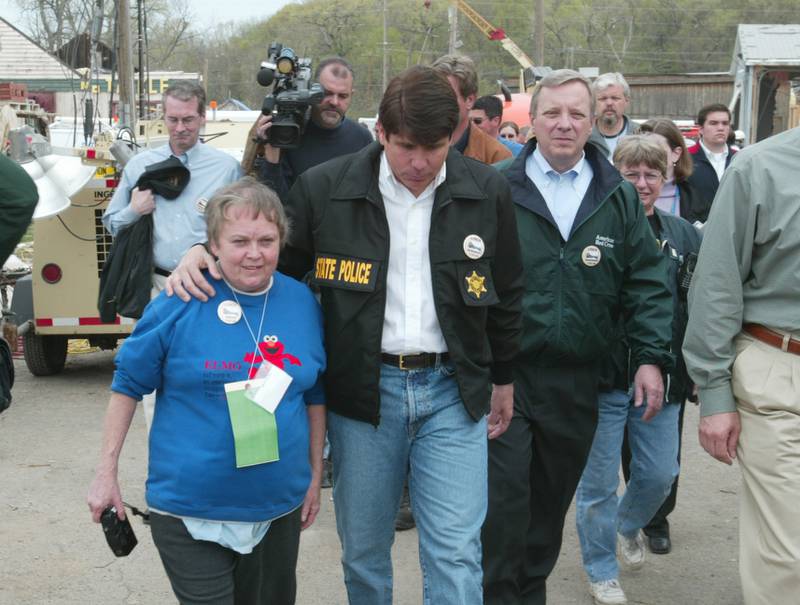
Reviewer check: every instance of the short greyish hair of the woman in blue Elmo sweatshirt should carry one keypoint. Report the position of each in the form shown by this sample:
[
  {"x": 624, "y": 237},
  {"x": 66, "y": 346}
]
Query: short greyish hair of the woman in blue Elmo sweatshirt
[{"x": 247, "y": 193}]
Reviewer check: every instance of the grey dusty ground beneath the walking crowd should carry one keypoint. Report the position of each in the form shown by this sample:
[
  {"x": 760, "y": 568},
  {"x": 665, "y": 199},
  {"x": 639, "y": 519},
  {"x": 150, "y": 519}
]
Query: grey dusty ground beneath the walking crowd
[{"x": 51, "y": 552}]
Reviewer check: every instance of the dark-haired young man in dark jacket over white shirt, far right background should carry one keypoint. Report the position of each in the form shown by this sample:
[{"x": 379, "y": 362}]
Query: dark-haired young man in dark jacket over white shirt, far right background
[{"x": 711, "y": 154}]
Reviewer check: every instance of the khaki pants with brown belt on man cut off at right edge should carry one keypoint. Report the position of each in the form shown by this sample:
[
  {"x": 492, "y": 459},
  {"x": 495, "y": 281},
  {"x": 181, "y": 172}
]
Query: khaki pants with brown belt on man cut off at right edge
[{"x": 766, "y": 385}]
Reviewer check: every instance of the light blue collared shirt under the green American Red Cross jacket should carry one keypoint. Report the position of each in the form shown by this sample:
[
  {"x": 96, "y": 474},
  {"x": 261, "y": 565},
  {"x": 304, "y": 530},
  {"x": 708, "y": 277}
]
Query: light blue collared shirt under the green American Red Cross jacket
[{"x": 562, "y": 192}]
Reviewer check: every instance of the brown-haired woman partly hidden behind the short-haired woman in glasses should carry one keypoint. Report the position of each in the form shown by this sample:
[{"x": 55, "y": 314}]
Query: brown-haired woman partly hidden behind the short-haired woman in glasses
[{"x": 677, "y": 195}]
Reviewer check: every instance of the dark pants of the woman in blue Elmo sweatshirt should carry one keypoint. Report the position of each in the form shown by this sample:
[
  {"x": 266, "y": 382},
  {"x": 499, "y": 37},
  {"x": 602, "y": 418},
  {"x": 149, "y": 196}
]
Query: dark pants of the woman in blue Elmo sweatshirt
[{"x": 205, "y": 572}]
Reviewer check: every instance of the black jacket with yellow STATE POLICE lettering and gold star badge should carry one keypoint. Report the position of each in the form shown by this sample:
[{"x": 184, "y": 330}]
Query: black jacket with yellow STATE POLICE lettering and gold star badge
[{"x": 340, "y": 232}]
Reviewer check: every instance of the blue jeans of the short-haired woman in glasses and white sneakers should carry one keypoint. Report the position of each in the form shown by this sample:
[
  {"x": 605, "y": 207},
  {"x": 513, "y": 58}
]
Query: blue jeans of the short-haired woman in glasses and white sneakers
[{"x": 599, "y": 513}]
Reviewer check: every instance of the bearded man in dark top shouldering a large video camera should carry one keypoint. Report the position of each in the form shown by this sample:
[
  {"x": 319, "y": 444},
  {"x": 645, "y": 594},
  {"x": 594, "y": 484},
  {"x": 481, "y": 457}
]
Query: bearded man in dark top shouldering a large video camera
[{"x": 328, "y": 133}]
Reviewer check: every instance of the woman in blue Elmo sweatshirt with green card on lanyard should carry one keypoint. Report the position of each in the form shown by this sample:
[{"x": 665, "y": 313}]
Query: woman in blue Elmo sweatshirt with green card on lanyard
[{"x": 235, "y": 449}]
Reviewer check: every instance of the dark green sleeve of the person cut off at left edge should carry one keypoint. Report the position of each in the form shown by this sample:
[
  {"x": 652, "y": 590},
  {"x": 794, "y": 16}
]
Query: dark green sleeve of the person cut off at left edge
[{"x": 18, "y": 198}]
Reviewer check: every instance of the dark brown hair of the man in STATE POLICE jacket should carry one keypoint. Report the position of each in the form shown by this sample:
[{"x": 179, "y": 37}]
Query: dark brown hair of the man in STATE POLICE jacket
[{"x": 419, "y": 104}]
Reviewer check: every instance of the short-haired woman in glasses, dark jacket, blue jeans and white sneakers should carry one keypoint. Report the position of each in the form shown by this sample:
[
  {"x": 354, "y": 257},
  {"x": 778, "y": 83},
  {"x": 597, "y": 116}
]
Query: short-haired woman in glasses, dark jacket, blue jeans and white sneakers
[{"x": 603, "y": 520}]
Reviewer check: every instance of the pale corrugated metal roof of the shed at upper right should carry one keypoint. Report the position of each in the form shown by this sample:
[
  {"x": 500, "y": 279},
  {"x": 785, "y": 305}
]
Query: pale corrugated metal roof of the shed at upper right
[{"x": 769, "y": 44}]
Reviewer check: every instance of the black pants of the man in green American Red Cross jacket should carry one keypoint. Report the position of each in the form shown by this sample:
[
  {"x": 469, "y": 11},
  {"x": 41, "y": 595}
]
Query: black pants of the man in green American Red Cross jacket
[{"x": 534, "y": 469}]
